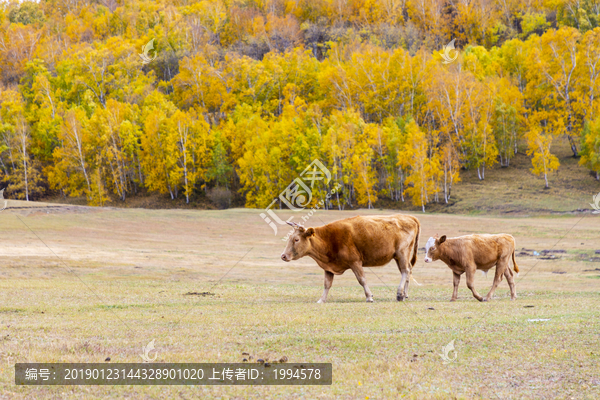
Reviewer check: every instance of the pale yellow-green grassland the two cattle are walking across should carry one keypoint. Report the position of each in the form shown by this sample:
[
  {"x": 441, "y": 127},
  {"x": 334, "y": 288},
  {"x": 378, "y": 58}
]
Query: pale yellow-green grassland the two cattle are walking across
[{"x": 84, "y": 284}]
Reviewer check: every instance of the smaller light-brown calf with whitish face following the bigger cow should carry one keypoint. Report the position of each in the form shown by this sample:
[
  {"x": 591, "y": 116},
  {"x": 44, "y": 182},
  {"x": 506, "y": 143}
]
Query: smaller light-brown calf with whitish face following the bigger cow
[{"x": 472, "y": 252}]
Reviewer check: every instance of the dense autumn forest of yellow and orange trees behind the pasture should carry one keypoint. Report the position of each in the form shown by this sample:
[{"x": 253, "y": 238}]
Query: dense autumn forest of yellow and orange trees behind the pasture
[{"x": 107, "y": 99}]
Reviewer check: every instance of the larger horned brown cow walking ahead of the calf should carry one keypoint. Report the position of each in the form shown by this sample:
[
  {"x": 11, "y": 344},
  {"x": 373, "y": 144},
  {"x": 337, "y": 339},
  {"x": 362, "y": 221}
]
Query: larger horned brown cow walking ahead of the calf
[{"x": 358, "y": 242}]
